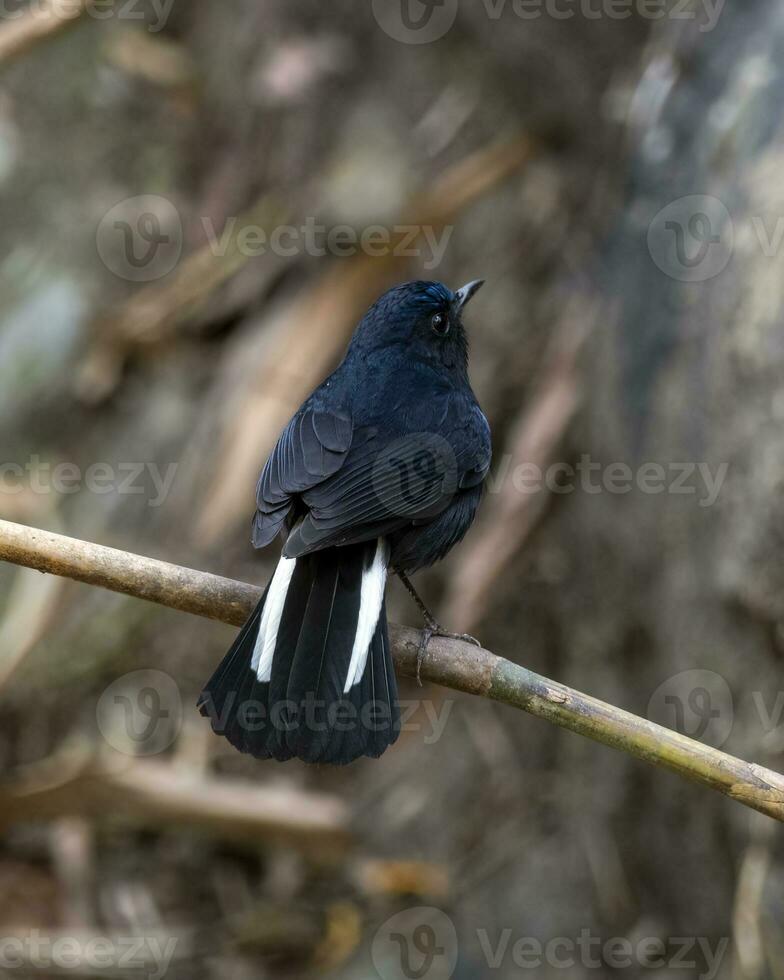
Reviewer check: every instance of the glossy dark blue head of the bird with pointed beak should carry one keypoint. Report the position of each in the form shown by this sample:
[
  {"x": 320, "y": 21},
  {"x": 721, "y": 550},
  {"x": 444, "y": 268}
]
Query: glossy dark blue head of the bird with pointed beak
[{"x": 423, "y": 317}]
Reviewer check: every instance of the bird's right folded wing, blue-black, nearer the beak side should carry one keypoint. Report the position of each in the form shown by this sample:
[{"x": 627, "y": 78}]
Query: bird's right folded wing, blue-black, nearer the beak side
[{"x": 390, "y": 481}]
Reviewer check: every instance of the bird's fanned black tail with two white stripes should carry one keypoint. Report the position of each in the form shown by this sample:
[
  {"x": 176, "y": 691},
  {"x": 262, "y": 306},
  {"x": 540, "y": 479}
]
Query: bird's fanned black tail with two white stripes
[{"x": 310, "y": 674}]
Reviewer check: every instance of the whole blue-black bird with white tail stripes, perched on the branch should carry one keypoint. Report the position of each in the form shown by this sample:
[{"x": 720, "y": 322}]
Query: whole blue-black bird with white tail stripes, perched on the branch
[{"x": 382, "y": 467}]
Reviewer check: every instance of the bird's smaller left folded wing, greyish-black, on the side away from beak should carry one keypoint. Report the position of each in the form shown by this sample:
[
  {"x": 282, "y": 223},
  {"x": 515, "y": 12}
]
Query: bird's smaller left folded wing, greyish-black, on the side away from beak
[{"x": 312, "y": 447}]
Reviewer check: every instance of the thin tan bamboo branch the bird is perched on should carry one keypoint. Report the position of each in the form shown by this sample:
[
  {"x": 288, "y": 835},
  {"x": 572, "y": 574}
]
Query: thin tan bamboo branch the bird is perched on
[{"x": 448, "y": 662}]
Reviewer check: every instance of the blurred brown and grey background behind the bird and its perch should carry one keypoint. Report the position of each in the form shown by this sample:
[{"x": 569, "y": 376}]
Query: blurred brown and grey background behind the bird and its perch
[{"x": 200, "y": 200}]
